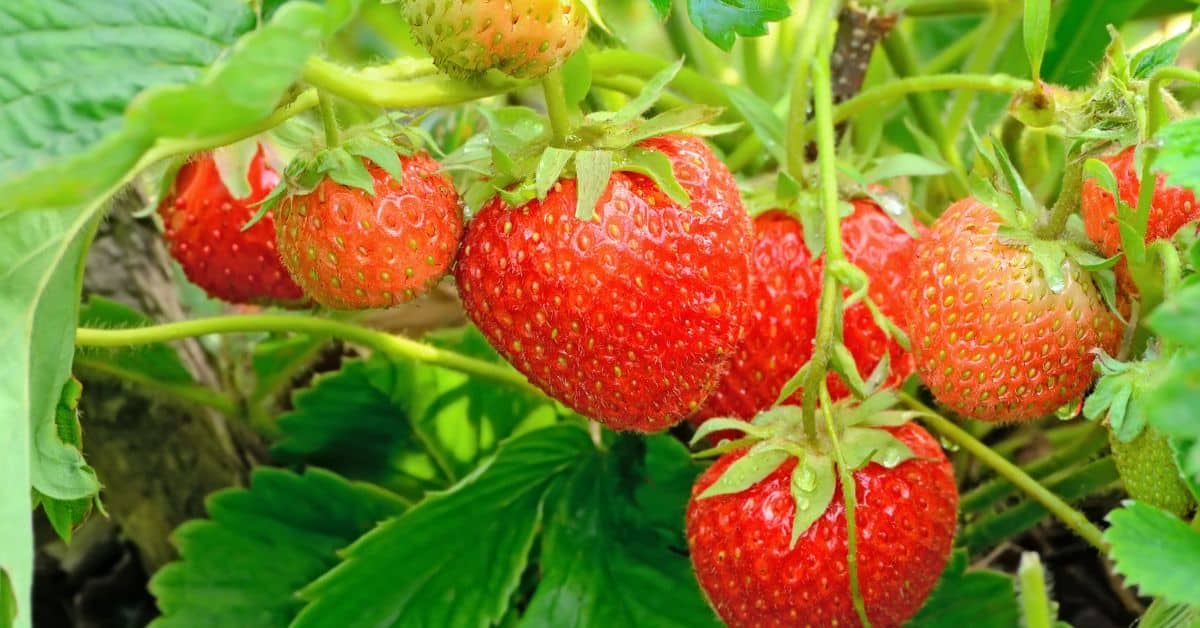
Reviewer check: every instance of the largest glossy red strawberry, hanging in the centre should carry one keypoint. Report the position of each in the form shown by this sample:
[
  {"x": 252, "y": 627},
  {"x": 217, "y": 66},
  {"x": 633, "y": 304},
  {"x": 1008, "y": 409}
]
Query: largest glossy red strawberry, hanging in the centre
[{"x": 628, "y": 319}]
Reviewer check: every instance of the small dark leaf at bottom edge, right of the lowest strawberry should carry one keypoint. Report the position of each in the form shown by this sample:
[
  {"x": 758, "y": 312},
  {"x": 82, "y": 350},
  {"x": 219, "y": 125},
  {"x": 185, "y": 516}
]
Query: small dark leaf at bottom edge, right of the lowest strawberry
[{"x": 979, "y": 599}]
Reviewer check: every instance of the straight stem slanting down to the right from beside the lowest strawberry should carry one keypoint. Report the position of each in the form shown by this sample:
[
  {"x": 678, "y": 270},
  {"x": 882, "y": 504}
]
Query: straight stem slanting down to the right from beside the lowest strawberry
[{"x": 1057, "y": 506}]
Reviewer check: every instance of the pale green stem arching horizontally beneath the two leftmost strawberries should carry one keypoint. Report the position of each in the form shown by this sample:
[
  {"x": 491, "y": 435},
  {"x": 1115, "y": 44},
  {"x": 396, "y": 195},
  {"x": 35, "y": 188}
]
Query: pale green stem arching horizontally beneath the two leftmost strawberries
[{"x": 387, "y": 344}]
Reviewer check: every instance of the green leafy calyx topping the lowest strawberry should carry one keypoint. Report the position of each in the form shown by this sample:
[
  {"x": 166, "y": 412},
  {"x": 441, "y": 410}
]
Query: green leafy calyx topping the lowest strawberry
[{"x": 777, "y": 435}]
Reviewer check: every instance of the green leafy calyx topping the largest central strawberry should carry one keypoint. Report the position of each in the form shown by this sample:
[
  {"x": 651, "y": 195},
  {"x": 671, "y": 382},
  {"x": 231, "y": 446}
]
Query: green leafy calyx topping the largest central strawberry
[{"x": 520, "y": 160}]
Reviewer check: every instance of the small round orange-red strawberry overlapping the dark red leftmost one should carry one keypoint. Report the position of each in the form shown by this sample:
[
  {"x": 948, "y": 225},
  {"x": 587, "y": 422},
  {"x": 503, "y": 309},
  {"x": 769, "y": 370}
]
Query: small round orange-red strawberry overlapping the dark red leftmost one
[{"x": 351, "y": 250}]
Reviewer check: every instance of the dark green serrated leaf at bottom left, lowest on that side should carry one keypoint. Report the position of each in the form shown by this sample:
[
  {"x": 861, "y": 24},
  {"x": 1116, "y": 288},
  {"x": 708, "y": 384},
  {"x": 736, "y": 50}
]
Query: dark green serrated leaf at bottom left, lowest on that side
[{"x": 244, "y": 566}]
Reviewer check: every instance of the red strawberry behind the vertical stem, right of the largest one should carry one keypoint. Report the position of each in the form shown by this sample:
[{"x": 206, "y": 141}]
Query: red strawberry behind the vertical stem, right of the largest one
[{"x": 785, "y": 289}]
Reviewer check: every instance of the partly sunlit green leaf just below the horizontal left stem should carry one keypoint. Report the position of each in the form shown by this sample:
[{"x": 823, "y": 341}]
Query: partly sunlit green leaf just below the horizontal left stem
[{"x": 404, "y": 424}]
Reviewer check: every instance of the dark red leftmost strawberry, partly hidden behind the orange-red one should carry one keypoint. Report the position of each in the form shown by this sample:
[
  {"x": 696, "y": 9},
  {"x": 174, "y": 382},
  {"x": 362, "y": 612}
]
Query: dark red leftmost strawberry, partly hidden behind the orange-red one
[{"x": 202, "y": 224}]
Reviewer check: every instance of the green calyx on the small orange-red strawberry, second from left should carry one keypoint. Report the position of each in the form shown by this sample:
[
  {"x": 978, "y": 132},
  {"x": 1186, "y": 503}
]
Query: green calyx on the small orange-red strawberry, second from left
[{"x": 382, "y": 142}]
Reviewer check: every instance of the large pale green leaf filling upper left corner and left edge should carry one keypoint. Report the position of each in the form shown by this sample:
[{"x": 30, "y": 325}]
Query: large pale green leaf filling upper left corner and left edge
[{"x": 80, "y": 140}]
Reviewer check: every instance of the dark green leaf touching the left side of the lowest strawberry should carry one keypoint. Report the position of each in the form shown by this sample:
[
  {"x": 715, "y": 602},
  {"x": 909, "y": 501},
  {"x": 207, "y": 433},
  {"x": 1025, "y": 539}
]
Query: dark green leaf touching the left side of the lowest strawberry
[{"x": 603, "y": 561}]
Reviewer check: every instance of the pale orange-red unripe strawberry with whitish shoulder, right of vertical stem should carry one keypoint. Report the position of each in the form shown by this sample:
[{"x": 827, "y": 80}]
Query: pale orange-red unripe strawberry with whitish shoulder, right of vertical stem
[{"x": 989, "y": 337}]
